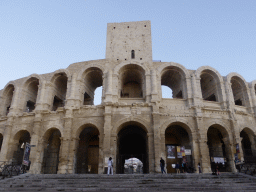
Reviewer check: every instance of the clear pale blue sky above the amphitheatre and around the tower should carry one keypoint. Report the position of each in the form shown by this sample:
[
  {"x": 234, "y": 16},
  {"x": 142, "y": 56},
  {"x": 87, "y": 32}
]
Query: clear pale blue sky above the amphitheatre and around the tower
[{"x": 41, "y": 36}]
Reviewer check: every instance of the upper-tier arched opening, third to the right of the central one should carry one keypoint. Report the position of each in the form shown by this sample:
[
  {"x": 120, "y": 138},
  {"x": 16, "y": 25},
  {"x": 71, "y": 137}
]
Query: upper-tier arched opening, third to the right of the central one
[{"x": 238, "y": 88}]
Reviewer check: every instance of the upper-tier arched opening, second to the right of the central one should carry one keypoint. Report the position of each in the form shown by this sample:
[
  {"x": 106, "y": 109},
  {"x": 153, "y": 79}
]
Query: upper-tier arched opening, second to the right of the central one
[{"x": 209, "y": 86}]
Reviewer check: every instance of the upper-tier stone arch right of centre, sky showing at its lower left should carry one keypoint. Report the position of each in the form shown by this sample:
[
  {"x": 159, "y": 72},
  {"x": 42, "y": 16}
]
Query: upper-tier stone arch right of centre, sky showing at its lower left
[{"x": 174, "y": 76}]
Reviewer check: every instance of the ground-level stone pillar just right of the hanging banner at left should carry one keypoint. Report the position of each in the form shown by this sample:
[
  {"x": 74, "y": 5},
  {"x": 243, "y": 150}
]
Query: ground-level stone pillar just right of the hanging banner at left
[{"x": 35, "y": 151}]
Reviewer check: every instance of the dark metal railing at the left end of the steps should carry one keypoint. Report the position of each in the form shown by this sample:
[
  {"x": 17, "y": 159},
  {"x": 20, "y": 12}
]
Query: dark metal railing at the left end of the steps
[{"x": 9, "y": 169}]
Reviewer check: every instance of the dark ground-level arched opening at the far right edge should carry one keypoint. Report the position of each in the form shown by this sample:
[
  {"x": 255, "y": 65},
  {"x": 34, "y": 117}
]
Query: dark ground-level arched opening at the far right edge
[{"x": 247, "y": 146}]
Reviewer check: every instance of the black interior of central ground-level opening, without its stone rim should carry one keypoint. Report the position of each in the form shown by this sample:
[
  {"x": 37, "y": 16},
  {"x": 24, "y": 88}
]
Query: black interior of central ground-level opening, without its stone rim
[{"x": 132, "y": 142}]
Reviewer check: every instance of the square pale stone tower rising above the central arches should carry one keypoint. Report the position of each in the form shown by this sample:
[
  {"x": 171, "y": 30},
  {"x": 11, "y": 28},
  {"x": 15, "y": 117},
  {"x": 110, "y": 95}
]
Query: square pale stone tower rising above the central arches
[{"x": 129, "y": 41}]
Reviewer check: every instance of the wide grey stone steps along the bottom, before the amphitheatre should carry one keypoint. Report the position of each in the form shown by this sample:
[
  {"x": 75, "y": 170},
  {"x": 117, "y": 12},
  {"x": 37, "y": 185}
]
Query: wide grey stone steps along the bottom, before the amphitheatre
[{"x": 147, "y": 182}]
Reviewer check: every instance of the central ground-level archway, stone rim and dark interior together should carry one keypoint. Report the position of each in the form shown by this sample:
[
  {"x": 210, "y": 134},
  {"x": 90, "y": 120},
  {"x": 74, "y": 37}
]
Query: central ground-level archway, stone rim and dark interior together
[{"x": 131, "y": 142}]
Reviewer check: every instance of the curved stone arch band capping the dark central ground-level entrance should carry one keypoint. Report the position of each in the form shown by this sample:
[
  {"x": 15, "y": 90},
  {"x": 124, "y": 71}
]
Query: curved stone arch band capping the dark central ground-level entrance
[{"x": 123, "y": 122}]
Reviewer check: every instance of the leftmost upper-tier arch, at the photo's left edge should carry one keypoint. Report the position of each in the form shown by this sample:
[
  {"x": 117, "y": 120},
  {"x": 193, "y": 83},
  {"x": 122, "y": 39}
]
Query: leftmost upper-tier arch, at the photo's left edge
[{"x": 7, "y": 98}]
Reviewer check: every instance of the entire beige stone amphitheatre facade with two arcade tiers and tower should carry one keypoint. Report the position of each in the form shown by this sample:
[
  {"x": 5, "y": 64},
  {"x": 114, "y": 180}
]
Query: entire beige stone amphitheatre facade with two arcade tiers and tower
[{"x": 210, "y": 116}]
